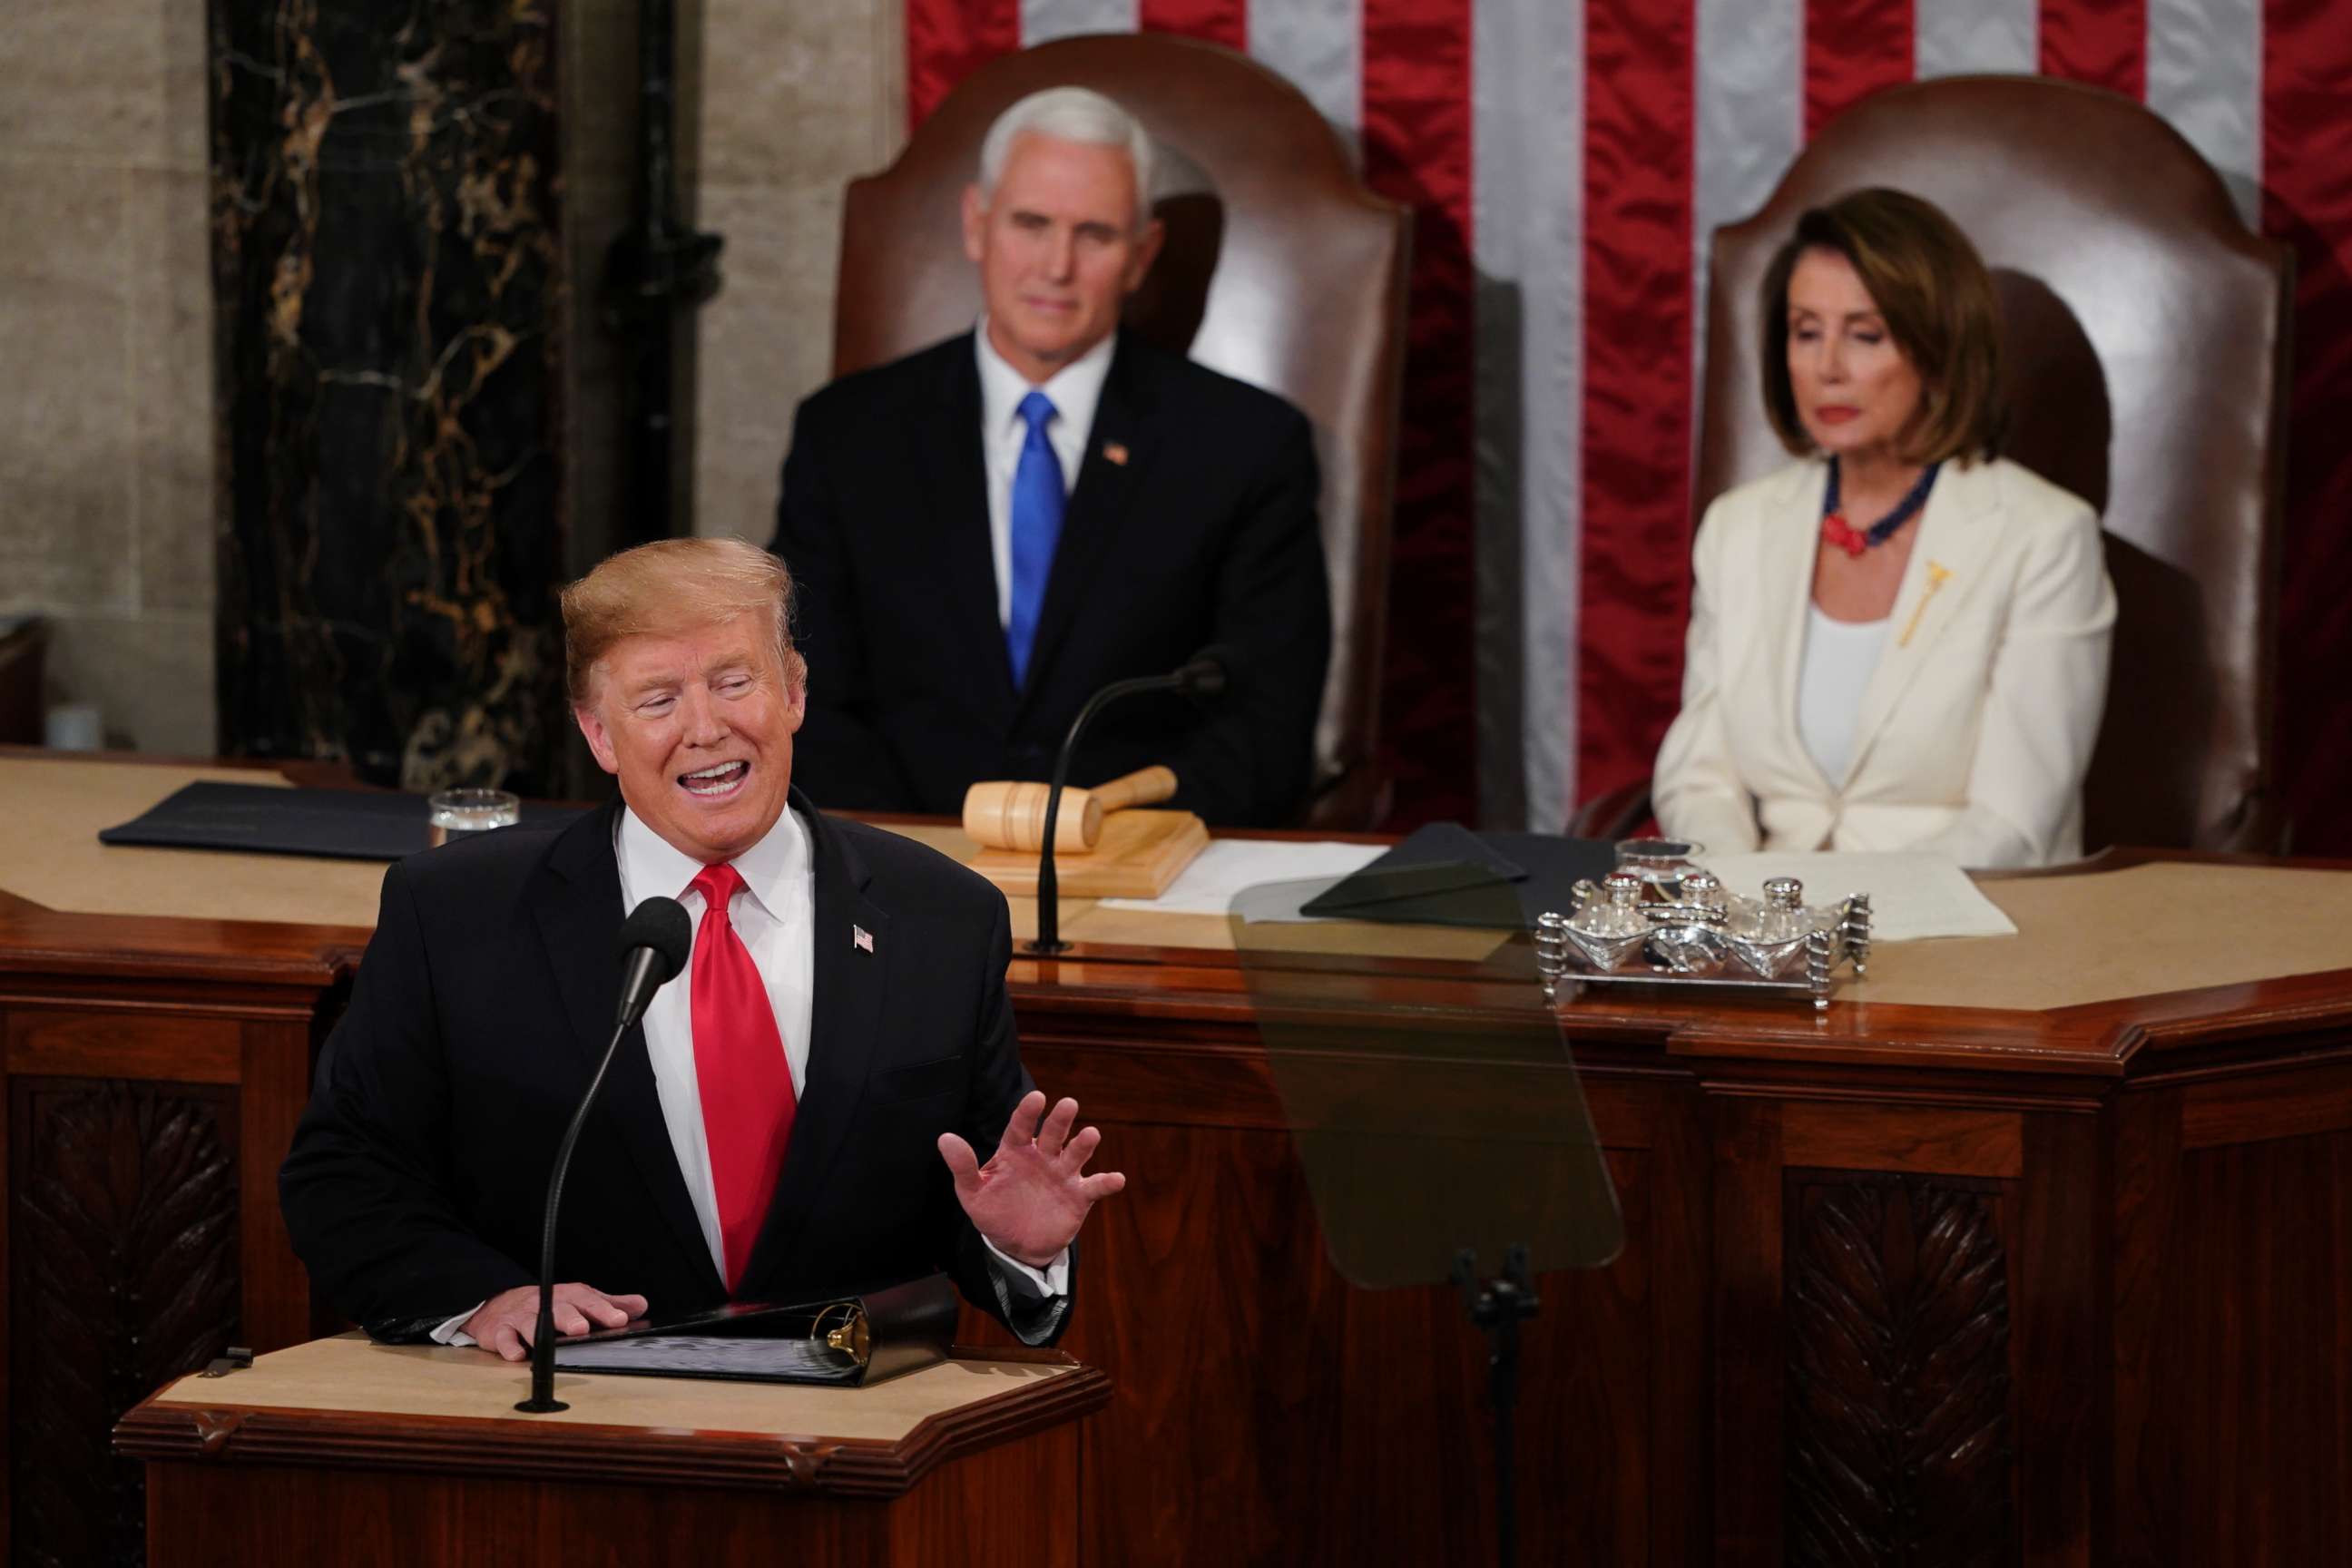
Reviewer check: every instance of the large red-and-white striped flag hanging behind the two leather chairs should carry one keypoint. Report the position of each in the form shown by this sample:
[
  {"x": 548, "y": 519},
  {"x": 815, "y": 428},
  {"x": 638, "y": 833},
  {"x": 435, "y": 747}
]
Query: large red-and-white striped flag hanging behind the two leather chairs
[{"x": 1568, "y": 163}]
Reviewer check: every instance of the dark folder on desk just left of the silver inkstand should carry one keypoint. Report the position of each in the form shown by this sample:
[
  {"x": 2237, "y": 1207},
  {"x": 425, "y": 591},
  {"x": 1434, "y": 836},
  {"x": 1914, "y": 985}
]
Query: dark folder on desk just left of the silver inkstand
[{"x": 1419, "y": 883}]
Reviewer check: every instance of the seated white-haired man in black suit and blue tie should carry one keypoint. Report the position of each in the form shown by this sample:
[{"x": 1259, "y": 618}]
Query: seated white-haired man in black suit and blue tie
[{"x": 991, "y": 530}]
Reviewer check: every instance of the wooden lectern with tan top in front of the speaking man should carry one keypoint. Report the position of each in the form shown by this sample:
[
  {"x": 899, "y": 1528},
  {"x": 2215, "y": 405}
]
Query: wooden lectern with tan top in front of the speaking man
[{"x": 345, "y": 1452}]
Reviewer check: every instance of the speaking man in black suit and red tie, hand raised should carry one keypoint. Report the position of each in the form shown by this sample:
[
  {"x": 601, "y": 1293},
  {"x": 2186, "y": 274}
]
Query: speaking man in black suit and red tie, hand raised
[{"x": 799, "y": 1111}]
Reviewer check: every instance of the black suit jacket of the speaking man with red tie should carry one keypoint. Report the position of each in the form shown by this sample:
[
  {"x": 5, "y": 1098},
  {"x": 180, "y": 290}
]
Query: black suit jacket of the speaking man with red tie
[{"x": 420, "y": 1170}]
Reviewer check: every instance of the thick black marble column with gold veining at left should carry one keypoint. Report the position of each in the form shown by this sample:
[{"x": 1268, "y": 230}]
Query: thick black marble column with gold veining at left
[{"x": 392, "y": 340}]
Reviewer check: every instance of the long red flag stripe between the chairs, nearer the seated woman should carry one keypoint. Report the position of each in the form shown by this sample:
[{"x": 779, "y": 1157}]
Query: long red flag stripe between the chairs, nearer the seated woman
[{"x": 1636, "y": 544}]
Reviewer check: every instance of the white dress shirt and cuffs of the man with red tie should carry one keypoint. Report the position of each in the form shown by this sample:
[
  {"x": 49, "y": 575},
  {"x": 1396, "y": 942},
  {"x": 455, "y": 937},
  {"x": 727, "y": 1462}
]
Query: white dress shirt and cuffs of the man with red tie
[{"x": 775, "y": 913}]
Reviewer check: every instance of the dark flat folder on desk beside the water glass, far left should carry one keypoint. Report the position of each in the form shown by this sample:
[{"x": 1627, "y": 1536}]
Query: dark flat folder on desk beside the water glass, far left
[{"x": 272, "y": 822}]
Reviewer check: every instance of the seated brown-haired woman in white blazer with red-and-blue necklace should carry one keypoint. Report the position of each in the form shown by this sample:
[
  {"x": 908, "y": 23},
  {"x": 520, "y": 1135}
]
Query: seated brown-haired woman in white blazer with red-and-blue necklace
[{"x": 1902, "y": 641}]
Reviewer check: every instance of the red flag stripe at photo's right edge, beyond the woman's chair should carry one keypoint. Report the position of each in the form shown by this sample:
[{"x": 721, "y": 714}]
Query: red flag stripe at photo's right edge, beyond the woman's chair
[{"x": 2308, "y": 203}]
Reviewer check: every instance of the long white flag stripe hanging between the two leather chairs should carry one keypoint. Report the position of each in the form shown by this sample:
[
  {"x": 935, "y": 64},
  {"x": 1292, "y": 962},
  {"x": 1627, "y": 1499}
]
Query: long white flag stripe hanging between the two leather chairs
[{"x": 1528, "y": 246}]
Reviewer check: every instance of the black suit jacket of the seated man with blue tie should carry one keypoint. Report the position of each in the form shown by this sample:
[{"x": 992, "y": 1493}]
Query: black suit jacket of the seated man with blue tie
[{"x": 1203, "y": 535}]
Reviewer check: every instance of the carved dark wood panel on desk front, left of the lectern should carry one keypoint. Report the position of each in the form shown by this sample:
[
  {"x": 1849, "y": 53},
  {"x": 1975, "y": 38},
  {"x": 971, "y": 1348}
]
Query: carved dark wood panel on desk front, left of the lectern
[{"x": 123, "y": 1275}]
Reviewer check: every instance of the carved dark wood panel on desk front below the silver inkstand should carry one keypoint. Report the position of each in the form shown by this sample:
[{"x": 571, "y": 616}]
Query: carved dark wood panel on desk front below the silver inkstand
[{"x": 1899, "y": 1395}]
